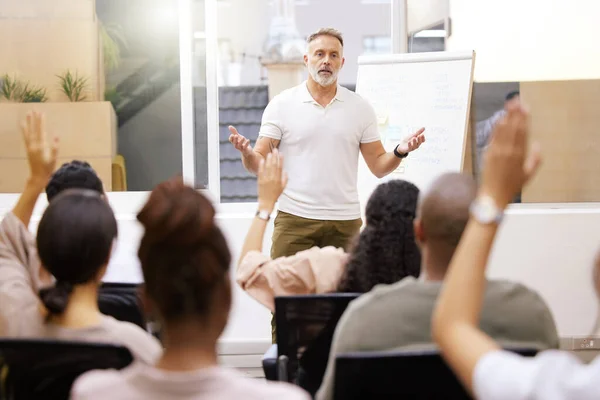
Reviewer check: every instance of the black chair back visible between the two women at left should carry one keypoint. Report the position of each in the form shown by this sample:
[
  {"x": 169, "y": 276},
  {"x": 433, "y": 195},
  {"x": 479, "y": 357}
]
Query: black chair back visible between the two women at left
[{"x": 121, "y": 301}]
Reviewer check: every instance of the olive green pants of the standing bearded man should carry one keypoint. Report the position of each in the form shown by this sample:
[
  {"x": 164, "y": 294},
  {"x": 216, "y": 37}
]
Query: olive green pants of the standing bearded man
[{"x": 293, "y": 234}]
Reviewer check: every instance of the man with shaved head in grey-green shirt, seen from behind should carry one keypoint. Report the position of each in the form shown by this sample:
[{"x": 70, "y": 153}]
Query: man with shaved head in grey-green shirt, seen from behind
[{"x": 399, "y": 315}]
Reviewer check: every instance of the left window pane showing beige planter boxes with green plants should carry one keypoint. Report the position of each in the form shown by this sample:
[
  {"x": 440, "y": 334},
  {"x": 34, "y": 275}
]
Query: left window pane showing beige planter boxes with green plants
[{"x": 124, "y": 55}]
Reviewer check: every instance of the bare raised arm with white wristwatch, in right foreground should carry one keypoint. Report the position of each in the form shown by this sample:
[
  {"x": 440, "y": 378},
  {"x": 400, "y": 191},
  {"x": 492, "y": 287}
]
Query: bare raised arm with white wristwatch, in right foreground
[{"x": 455, "y": 324}]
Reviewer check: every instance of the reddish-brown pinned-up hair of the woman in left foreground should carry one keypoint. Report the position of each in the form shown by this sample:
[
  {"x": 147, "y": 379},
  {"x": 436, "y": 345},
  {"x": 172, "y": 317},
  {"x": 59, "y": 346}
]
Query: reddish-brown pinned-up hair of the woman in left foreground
[{"x": 184, "y": 255}]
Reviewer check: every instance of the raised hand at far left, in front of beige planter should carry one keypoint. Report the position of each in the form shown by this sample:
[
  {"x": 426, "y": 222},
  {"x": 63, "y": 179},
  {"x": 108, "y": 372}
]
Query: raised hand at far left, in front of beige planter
[{"x": 41, "y": 149}]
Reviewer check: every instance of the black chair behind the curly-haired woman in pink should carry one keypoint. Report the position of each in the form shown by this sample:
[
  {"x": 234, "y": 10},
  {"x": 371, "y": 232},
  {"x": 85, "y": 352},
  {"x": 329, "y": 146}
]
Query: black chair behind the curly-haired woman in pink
[{"x": 305, "y": 327}]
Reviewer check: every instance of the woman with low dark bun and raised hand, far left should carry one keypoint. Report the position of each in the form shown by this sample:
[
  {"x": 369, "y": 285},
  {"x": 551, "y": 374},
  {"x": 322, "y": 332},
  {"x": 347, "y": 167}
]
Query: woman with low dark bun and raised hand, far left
[{"x": 74, "y": 241}]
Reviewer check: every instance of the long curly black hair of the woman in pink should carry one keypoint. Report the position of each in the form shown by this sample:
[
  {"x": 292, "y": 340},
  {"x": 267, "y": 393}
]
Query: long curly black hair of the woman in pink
[{"x": 385, "y": 251}]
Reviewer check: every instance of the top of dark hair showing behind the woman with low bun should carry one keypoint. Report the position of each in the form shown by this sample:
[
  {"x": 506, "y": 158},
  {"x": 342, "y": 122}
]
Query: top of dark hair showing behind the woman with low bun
[{"x": 73, "y": 175}]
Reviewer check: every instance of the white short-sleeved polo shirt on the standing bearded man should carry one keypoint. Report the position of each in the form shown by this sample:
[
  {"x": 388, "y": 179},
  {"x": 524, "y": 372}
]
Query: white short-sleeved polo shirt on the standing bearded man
[{"x": 321, "y": 147}]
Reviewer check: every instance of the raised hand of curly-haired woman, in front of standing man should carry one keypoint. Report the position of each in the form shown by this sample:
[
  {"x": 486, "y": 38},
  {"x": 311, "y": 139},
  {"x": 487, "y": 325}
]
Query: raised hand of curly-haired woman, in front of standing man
[{"x": 271, "y": 180}]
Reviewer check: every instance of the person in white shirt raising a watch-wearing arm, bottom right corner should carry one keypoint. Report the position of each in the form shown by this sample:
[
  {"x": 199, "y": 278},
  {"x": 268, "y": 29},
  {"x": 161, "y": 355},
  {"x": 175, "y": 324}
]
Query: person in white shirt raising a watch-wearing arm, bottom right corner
[{"x": 475, "y": 355}]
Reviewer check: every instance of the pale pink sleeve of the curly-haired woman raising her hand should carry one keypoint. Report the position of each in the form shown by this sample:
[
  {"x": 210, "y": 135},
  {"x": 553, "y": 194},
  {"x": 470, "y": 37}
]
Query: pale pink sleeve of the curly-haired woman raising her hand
[{"x": 310, "y": 271}]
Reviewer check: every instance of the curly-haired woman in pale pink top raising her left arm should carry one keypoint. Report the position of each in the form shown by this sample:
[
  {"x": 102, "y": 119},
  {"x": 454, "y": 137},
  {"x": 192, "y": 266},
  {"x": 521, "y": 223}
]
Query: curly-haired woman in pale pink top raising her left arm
[{"x": 384, "y": 252}]
